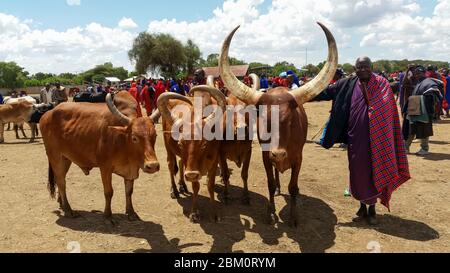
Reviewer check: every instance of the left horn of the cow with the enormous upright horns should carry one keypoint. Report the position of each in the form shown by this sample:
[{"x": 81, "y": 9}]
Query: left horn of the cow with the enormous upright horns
[{"x": 239, "y": 89}]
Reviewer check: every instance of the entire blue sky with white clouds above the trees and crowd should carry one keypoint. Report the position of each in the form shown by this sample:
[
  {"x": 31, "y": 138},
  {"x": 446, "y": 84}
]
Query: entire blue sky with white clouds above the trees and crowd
[{"x": 53, "y": 36}]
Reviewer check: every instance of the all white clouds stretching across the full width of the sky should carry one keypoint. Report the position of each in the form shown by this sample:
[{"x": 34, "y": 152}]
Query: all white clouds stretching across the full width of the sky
[{"x": 377, "y": 28}]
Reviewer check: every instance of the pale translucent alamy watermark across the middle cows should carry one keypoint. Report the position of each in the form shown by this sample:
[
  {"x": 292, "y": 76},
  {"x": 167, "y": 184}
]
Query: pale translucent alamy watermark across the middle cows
[{"x": 238, "y": 122}]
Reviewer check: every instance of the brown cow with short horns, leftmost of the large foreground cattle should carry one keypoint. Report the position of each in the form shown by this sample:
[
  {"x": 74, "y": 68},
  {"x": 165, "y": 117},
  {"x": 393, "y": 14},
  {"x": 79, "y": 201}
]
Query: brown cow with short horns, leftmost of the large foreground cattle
[{"x": 99, "y": 135}]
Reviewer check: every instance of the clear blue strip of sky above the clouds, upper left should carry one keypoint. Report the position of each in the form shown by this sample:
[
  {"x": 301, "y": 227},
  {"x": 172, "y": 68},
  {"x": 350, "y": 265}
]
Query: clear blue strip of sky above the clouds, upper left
[{"x": 57, "y": 14}]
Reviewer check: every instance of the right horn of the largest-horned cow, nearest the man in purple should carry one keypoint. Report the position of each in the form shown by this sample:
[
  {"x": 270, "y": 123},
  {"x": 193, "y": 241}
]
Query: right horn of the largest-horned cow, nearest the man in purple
[{"x": 313, "y": 88}]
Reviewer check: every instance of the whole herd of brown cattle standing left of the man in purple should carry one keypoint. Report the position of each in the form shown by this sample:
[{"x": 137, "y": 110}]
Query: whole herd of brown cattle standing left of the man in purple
[{"x": 117, "y": 141}]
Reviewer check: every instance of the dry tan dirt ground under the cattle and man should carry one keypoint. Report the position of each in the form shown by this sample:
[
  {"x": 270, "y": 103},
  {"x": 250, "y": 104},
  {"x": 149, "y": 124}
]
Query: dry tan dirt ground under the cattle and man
[{"x": 419, "y": 220}]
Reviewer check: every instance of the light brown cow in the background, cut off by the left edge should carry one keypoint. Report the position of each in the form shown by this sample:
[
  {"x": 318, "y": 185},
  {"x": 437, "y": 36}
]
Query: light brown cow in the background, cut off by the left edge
[{"x": 18, "y": 112}]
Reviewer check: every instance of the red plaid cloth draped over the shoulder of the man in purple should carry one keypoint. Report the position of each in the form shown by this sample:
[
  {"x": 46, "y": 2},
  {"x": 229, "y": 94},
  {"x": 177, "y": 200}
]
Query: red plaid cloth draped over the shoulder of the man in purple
[{"x": 389, "y": 160}]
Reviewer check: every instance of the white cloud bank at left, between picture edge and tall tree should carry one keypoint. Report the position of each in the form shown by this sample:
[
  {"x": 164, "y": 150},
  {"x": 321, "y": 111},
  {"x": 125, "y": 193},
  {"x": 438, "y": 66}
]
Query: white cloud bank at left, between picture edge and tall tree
[{"x": 72, "y": 50}]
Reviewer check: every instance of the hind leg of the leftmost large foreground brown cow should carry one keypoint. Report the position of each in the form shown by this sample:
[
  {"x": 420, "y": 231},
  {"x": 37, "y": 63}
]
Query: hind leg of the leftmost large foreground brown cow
[{"x": 60, "y": 168}]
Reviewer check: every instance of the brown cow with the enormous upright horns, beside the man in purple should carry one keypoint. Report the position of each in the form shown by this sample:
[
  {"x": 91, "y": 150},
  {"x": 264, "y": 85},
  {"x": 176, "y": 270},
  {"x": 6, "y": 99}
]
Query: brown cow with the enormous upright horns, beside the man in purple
[{"x": 293, "y": 122}]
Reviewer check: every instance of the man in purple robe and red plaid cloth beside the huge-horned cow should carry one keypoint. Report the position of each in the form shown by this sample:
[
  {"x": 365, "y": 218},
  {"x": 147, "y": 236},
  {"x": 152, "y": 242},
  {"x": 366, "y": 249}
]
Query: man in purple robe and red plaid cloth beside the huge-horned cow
[{"x": 365, "y": 117}]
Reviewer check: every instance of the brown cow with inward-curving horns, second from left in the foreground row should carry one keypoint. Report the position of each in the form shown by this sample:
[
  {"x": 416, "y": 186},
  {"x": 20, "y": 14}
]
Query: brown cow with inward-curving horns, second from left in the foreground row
[{"x": 198, "y": 157}]
